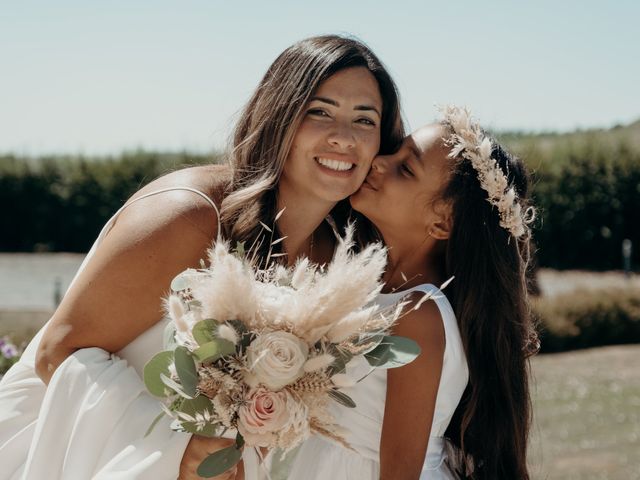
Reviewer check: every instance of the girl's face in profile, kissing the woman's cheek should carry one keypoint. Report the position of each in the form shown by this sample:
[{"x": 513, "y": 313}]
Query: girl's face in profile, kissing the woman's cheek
[{"x": 402, "y": 193}]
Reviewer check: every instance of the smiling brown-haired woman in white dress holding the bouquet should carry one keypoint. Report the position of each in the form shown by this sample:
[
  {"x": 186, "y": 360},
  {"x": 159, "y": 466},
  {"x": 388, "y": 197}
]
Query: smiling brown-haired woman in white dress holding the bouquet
[{"x": 75, "y": 407}]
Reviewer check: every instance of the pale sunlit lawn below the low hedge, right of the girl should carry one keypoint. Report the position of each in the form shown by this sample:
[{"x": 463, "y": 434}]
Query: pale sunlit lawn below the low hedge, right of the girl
[{"x": 587, "y": 415}]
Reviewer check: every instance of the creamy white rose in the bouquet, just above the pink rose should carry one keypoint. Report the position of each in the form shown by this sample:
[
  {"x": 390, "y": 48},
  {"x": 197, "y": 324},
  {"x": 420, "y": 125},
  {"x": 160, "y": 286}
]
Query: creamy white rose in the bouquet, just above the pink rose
[{"x": 277, "y": 358}]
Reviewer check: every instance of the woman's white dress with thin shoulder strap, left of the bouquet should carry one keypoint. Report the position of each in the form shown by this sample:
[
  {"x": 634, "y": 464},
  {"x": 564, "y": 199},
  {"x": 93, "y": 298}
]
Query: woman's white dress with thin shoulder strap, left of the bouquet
[{"x": 90, "y": 422}]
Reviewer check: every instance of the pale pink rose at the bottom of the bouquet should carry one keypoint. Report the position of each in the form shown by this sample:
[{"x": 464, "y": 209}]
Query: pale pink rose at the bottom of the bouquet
[{"x": 262, "y": 416}]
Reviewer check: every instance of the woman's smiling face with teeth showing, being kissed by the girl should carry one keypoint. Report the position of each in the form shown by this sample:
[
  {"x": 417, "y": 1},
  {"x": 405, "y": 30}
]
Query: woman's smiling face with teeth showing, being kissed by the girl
[{"x": 337, "y": 139}]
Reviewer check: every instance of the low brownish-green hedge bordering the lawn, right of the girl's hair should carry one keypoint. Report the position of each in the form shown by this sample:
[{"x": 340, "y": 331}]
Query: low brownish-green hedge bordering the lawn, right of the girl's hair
[{"x": 588, "y": 318}]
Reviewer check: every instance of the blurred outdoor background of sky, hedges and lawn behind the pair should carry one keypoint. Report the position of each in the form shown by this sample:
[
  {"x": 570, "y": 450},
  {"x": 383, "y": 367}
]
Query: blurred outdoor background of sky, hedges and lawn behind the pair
[{"x": 98, "y": 99}]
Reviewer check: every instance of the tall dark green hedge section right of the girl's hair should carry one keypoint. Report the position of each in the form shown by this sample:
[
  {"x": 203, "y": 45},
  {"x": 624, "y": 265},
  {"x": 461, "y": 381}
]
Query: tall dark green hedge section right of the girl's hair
[{"x": 589, "y": 202}]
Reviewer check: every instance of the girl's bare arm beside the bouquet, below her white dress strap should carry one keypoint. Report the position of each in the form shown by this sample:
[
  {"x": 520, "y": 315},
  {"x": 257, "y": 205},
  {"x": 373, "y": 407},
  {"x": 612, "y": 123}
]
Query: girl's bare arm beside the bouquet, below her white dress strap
[{"x": 411, "y": 396}]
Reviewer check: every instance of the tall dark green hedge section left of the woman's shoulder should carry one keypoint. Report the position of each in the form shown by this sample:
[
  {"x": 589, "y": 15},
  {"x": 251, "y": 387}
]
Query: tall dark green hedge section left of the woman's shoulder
[{"x": 61, "y": 203}]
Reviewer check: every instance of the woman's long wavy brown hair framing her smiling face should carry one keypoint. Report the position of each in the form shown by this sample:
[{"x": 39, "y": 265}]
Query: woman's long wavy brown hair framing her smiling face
[{"x": 268, "y": 123}]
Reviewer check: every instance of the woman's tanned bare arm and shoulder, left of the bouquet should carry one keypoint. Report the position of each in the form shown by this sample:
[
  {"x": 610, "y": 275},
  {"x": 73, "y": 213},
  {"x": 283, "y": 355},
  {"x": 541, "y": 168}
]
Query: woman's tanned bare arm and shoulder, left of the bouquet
[{"x": 118, "y": 294}]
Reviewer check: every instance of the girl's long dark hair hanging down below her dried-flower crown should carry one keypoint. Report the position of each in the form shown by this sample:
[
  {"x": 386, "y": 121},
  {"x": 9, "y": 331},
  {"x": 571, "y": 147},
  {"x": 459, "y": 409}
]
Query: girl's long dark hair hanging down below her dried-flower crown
[{"x": 490, "y": 428}]
